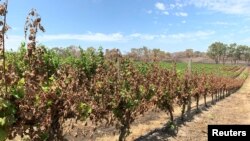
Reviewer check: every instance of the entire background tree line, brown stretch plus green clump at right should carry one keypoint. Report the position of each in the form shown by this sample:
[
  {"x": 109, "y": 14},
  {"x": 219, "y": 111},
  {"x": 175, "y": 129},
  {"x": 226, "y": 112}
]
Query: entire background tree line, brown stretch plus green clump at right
[{"x": 217, "y": 51}]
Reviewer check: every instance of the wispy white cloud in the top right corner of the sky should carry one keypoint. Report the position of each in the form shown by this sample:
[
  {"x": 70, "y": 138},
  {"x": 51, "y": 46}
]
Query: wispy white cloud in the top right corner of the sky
[{"x": 225, "y": 6}]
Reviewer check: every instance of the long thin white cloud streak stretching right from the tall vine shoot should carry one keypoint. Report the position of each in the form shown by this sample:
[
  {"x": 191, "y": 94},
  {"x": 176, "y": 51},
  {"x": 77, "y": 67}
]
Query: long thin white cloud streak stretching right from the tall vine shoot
[{"x": 116, "y": 37}]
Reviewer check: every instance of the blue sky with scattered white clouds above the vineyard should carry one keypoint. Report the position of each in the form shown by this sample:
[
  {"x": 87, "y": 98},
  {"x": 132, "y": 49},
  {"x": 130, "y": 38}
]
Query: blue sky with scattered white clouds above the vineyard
[{"x": 171, "y": 25}]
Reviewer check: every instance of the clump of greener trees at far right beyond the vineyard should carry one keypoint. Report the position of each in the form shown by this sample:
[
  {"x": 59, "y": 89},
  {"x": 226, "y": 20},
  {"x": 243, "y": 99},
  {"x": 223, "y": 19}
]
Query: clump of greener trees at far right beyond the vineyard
[{"x": 233, "y": 53}]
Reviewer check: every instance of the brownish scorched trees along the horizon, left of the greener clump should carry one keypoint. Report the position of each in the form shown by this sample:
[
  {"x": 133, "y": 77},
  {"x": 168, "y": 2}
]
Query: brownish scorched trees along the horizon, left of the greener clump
[{"x": 144, "y": 53}]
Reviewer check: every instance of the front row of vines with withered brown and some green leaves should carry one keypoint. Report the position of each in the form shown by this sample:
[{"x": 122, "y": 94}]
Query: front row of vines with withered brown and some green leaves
[{"x": 41, "y": 88}]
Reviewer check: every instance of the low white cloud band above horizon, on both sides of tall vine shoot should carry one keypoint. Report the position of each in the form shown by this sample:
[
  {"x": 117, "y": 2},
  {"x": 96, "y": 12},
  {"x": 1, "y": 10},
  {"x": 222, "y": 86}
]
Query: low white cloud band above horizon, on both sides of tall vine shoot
[{"x": 13, "y": 41}]
